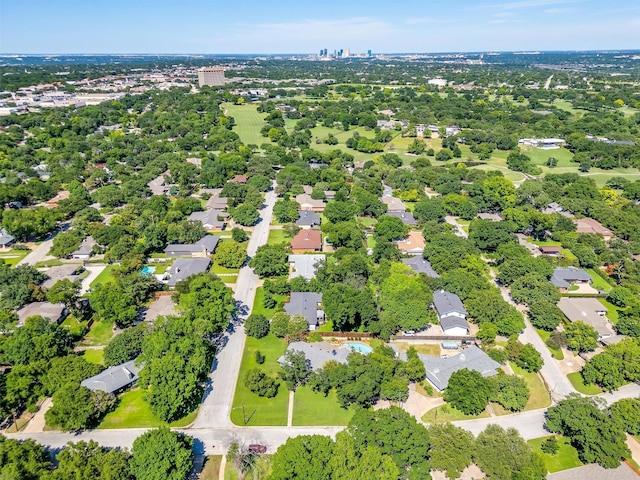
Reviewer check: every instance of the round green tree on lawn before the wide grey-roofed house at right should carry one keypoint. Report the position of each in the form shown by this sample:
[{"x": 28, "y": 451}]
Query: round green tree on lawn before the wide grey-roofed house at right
[{"x": 468, "y": 391}]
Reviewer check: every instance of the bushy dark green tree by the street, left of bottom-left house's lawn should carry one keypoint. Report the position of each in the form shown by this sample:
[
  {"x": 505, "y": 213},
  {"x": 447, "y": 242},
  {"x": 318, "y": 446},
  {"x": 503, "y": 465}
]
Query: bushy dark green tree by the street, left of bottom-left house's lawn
[{"x": 76, "y": 407}]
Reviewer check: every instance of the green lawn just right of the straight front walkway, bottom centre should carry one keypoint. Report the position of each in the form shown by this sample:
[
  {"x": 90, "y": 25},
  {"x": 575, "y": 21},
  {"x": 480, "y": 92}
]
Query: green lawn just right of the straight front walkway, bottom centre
[{"x": 314, "y": 409}]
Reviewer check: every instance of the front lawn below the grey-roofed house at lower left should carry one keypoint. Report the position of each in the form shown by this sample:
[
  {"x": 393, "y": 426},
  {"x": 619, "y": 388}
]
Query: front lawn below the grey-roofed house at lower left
[{"x": 133, "y": 412}]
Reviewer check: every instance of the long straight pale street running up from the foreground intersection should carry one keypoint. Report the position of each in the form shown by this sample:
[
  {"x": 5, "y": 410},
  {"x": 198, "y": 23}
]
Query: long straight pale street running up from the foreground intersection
[{"x": 216, "y": 406}]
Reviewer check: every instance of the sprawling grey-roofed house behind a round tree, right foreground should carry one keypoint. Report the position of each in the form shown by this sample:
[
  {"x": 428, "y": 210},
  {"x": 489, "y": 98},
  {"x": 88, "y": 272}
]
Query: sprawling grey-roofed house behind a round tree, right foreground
[{"x": 439, "y": 370}]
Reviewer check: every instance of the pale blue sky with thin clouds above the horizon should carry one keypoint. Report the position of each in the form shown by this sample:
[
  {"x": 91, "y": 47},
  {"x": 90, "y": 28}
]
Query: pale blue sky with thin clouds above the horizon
[{"x": 304, "y": 26}]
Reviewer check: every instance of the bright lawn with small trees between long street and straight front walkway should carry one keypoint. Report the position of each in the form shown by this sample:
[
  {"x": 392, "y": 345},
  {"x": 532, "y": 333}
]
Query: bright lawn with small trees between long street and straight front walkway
[{"x": 260, "y": 410}]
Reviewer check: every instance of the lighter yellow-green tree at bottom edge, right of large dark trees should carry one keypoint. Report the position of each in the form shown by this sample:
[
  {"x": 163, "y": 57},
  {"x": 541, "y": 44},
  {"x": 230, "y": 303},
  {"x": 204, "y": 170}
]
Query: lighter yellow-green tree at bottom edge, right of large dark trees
[{"x": 451, "y": 449}]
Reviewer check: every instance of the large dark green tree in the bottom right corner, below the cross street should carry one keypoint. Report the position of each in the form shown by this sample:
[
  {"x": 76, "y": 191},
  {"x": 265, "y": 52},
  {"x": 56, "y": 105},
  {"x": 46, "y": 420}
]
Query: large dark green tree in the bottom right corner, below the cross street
[{"x": 592, "y": 432}]
